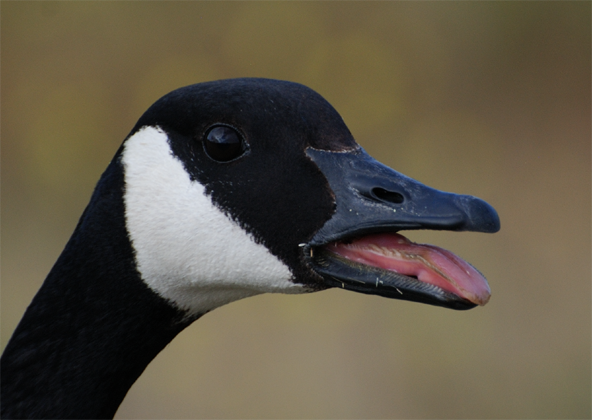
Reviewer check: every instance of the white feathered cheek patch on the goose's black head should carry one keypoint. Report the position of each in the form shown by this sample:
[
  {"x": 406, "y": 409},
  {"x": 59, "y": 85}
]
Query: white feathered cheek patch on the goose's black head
[{"x": 187, "y": 250}]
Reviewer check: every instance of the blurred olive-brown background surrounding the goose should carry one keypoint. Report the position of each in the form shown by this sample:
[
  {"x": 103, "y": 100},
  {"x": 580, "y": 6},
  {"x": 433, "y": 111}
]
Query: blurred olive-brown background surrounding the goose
[{"x": 484, "y": 98}]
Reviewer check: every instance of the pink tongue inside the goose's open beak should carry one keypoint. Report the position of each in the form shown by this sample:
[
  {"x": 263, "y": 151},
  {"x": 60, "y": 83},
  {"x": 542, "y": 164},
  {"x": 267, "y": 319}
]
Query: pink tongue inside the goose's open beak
[{"x": 429, "y": 263}]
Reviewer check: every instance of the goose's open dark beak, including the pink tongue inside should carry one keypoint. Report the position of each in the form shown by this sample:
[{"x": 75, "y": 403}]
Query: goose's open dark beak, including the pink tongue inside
[{"x": 359, "y": 248}]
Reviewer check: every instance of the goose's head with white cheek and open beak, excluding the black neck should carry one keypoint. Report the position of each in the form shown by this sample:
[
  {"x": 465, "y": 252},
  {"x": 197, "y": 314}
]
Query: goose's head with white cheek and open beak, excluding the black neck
[{"x": 246, "y": 186}]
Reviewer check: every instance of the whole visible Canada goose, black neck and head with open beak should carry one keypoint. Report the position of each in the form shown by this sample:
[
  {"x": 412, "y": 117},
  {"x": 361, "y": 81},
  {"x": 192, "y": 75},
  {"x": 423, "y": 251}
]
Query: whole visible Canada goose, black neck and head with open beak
[{"x": 221, "y": 191}]
